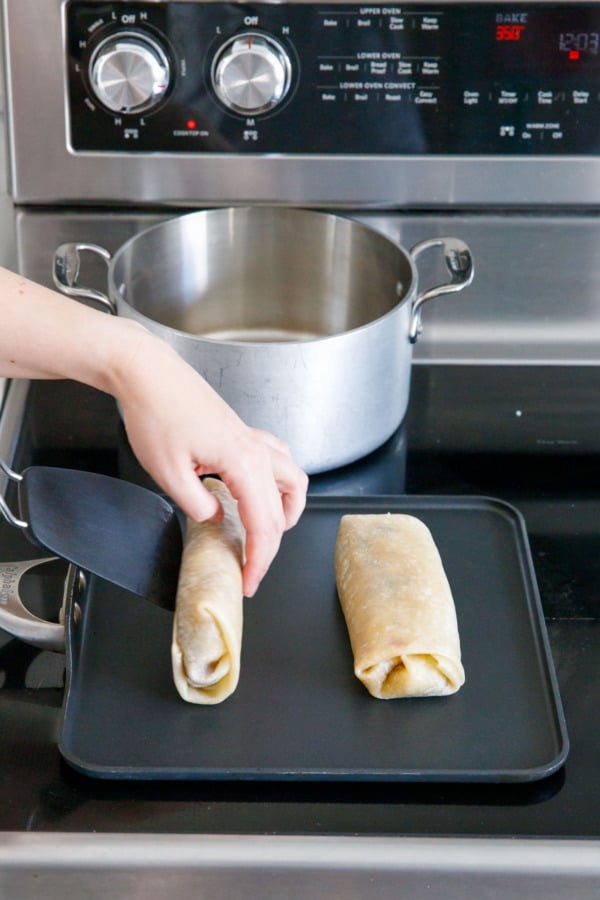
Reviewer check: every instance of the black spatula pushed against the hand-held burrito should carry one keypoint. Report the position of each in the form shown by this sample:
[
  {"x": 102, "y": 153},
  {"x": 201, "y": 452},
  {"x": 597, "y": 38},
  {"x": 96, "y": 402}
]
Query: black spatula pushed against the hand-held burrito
[{"x": 120, "y": 531}]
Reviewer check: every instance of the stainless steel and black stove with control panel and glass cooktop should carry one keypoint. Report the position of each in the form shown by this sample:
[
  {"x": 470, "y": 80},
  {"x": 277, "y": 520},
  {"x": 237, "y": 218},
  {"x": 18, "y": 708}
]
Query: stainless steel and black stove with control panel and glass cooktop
[{"x": 472, "y": 119}]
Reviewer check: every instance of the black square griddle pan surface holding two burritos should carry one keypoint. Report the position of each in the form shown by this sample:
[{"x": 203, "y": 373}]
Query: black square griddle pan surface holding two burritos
[{"x": 299, "y": 712}]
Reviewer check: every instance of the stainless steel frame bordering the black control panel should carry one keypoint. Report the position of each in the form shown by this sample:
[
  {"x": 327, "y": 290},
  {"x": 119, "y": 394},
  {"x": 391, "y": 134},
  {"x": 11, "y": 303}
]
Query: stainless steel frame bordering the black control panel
[{"x": 36, "y": 115}]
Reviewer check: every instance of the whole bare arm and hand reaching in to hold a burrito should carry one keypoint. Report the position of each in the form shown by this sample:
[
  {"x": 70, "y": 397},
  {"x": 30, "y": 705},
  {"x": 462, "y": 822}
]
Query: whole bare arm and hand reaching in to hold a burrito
[{"x": 177, "y": 425}]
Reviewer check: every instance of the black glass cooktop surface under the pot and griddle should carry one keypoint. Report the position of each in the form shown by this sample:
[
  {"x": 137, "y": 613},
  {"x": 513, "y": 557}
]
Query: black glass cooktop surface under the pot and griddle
[{"x": 442, "y": 448}]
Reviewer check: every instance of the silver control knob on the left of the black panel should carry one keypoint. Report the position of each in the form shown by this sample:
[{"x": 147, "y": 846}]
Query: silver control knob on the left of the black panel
[{"x": 129, "y": 73}]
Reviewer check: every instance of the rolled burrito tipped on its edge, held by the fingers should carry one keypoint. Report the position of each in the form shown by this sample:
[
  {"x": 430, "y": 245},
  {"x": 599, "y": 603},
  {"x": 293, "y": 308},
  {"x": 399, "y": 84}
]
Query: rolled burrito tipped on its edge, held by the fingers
[{"x": 207, "y": 627}]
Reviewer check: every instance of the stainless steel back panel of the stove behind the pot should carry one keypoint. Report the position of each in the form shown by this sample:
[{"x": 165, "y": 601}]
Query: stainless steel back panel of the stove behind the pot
[{"x": 516, "y": 310}]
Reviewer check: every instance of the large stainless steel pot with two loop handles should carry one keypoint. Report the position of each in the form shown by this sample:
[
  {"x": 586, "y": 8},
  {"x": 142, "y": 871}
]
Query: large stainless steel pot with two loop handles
[{"x": 302, "y": 321}]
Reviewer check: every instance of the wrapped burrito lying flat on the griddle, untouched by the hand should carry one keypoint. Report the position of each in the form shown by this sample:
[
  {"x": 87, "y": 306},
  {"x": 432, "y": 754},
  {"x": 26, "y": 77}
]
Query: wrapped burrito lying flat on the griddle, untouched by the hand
[{"x": 398, "y": 607}]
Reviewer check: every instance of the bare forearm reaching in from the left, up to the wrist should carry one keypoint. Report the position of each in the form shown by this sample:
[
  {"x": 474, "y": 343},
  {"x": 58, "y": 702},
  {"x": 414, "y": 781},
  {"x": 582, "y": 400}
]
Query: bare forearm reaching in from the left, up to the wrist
[{"x": 46, "y": 335}]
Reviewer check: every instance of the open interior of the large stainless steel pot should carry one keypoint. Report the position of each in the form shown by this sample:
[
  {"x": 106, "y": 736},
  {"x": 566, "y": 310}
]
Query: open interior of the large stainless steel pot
[{"x": 261, "y": 274}]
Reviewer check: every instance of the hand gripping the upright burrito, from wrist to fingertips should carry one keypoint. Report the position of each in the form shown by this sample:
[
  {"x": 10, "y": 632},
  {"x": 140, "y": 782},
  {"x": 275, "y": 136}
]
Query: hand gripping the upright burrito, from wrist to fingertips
[{"x": 179, "y": 428}]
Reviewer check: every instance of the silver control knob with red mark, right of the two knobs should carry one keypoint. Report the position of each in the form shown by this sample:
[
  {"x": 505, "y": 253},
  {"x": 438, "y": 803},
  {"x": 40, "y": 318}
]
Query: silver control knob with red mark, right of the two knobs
[{"x": 251, "y": 73}]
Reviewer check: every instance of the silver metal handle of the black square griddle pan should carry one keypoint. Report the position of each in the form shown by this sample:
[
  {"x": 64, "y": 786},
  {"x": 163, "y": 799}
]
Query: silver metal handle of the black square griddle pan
[{"x": 17, "y": 620}]
